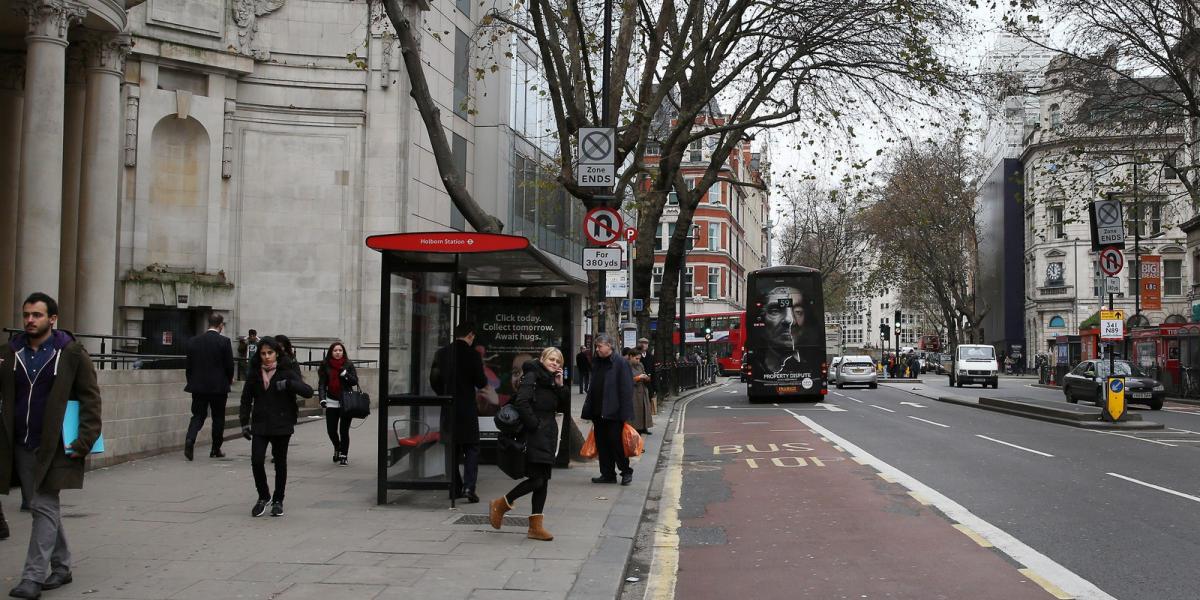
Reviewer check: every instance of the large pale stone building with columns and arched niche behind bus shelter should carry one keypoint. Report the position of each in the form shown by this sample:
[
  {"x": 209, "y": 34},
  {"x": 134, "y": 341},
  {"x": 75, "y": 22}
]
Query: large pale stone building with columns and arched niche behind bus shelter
[{"x": 178, "y": 158}]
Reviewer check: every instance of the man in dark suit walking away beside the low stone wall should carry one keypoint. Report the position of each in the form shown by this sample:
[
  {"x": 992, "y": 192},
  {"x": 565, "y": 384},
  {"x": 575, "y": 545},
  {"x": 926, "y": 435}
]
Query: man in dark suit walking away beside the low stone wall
[{"x": 209, "y": 375}]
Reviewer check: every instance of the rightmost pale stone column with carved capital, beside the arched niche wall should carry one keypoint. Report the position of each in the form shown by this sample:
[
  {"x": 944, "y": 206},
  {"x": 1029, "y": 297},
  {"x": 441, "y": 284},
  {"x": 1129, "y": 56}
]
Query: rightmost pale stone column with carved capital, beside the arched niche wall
[{"x": 99, "y": 205}]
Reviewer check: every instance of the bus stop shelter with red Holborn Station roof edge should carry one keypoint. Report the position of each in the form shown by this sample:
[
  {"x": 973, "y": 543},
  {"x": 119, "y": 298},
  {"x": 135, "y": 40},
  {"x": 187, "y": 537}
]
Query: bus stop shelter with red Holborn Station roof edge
[{"x": 423, "y": 295}]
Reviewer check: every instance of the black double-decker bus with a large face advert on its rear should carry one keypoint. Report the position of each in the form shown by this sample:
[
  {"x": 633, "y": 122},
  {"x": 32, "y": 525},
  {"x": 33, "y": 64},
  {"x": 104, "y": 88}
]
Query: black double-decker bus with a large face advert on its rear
[{"x": 787, "y": 333}]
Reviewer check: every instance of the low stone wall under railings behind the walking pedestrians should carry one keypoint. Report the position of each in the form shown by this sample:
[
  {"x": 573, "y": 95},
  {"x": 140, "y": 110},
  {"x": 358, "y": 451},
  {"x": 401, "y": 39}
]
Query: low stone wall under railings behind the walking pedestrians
[{"x": 147, "y": 412}]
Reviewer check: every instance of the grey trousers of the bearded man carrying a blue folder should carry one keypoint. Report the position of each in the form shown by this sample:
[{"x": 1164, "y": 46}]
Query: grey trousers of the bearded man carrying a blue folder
[{"x": 47, "y": 543}]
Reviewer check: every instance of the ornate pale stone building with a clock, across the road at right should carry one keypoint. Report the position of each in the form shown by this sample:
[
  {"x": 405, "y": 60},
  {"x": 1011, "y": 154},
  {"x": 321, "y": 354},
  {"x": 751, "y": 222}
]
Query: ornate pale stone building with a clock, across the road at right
[{"x": 1087, "y": 147}]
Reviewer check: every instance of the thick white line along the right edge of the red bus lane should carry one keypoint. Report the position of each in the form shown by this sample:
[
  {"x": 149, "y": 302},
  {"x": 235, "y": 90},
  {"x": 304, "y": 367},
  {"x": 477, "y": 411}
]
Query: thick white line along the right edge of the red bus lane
[{"x": 1041, "y": 569}]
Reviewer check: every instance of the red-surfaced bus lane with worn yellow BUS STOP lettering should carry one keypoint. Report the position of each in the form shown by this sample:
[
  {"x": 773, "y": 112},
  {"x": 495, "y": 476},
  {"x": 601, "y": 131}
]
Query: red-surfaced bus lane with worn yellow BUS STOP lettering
[{"x": 769, "y": 509}]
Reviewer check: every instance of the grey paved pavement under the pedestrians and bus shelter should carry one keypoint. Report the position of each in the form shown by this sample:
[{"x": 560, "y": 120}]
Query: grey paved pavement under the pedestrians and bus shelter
[{"x": 166, "y": 529}]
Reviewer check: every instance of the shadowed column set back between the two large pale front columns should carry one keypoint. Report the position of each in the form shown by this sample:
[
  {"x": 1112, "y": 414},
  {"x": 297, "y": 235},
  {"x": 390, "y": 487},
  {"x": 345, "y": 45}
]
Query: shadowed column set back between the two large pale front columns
[{"x": 73, "y": 155}]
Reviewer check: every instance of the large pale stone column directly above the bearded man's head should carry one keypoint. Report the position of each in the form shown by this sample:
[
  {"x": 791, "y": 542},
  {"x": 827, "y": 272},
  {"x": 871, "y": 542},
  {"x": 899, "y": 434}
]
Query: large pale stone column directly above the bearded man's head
[{"x": 40, "y": 199}]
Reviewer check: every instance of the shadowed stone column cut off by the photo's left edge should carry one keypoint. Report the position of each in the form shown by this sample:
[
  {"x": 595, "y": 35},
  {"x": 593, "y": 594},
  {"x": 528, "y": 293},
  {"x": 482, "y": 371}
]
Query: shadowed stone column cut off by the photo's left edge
[{"x": 13, "y": 74}]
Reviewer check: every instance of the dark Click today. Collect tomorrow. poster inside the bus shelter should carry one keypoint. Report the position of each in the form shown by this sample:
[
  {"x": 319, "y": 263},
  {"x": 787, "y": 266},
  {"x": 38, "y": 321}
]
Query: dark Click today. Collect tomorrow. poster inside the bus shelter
[{"x": 511, "y": 332}]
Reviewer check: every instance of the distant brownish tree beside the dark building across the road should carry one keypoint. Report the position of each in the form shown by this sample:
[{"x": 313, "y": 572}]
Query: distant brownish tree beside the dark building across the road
[{"x": 923, "y": 227}]
